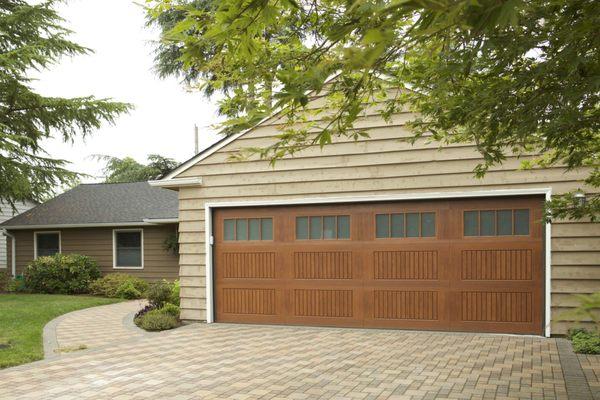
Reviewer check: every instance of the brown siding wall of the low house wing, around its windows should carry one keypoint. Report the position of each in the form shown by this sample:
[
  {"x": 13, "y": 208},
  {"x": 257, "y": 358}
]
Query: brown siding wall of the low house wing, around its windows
[{"x": 97, "y": 243}]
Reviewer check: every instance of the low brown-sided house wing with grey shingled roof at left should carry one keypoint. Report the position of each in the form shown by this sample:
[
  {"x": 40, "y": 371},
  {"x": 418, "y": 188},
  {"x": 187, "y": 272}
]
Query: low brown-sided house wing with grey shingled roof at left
[{"x": 123, "y": 226}]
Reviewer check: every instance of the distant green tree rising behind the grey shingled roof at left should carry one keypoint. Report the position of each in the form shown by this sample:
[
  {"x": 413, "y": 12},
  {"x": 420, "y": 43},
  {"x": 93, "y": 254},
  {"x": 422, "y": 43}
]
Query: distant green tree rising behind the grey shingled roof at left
[{"x": 119, "y": 170}]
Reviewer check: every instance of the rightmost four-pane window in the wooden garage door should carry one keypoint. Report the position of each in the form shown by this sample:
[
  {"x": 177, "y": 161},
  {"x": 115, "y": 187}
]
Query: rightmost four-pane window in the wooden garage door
[{"x": 496, "y": 222}]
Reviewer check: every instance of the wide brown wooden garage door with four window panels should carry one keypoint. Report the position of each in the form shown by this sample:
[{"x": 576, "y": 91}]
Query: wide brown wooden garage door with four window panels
[{"x": 456, "y": 265}]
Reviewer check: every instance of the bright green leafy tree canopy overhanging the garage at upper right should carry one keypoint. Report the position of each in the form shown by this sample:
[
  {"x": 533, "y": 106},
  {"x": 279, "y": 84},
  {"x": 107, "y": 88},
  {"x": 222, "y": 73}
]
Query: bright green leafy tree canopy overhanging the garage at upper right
[{"x": 513, "y": 77}]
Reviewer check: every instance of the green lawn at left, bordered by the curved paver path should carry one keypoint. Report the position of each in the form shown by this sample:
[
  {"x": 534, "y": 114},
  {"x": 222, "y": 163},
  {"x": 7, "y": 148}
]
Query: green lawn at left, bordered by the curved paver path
[{"x": 22, "y": 320}]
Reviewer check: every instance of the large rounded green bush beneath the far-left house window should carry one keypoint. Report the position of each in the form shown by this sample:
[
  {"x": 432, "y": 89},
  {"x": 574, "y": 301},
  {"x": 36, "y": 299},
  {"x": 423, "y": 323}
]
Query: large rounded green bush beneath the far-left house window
[{"x": 61, "y": 273}]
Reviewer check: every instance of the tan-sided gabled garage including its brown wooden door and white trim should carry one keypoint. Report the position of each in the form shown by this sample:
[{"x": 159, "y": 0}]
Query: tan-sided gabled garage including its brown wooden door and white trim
[{"x": 377, "y": 233}]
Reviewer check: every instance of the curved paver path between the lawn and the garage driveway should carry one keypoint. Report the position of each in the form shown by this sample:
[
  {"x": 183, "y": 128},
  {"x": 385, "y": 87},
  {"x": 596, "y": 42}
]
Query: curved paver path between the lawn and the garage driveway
[{"x": 92, "y": 328}]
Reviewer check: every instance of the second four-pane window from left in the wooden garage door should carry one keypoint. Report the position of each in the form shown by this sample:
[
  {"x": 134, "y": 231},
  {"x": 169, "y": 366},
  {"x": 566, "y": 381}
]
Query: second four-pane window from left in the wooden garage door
[{"x": 328, "y": 227}]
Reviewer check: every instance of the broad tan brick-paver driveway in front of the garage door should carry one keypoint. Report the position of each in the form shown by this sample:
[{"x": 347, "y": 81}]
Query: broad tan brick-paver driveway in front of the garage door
[{"x": 249, "y": 362}]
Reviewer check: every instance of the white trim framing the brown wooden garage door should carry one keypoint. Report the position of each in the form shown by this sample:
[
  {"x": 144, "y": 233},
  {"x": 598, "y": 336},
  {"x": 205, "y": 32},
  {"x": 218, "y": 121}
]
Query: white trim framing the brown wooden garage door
[{"x": 208, "y": 207}]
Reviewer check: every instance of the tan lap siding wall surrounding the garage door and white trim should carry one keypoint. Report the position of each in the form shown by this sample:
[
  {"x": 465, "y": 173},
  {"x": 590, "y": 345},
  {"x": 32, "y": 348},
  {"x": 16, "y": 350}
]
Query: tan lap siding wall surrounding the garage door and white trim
[{"x": 380, "y": 165}]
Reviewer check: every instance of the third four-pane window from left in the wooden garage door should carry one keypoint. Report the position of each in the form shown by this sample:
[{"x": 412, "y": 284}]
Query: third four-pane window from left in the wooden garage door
[{"x": 399, "y": 225}]
